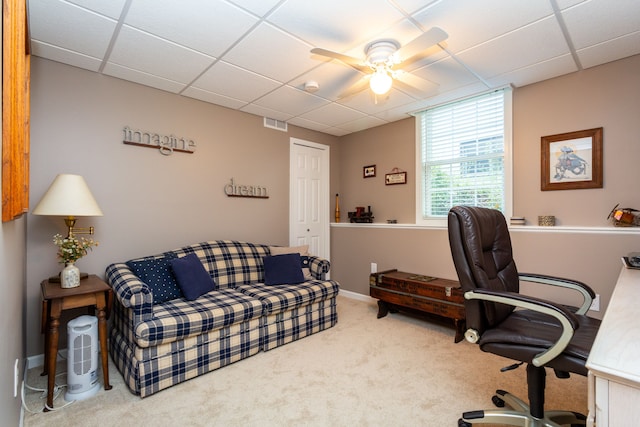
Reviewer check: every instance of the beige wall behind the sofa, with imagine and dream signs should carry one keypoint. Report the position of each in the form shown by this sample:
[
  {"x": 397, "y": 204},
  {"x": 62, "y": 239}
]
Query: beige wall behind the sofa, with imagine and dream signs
[{"x": 151, "y": 202}]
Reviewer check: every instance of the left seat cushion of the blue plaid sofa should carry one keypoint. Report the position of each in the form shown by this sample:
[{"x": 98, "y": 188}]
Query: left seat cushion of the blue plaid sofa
[{"x": 177, "y": 319}]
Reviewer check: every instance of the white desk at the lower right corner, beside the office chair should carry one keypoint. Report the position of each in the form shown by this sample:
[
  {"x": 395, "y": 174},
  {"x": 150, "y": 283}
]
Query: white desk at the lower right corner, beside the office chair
[{"x": 614, "y": 361}]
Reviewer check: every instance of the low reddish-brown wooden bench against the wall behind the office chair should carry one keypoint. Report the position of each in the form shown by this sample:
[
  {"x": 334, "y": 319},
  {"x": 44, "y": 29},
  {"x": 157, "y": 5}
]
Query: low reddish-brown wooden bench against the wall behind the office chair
[{"x": 397, "y": 290}]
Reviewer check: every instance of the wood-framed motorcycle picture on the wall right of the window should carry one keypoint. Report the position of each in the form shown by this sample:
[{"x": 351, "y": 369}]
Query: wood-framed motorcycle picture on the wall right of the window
[{"x": 572, "y": 160}]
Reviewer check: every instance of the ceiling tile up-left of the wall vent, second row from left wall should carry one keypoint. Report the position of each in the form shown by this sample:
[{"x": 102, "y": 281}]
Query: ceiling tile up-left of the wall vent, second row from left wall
[{"x": 235, "y": 82}]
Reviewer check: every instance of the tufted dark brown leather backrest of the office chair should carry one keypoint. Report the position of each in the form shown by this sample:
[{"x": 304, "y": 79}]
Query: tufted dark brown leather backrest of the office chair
[{"x": 481, "y": 250}]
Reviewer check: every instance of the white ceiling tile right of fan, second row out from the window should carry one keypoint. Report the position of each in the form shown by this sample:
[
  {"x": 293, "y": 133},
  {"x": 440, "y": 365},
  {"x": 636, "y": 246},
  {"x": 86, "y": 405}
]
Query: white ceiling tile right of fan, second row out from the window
[{"x": 530, "y": 44}]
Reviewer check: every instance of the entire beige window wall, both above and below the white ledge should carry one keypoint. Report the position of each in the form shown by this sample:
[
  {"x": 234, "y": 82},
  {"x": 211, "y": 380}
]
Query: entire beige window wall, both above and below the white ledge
[{"x": 604, "y": 96}]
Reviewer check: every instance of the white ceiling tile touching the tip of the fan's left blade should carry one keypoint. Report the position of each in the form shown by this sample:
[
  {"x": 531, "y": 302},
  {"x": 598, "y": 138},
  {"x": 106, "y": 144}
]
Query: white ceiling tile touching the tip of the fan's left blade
[{"x": 272, "y": 53}]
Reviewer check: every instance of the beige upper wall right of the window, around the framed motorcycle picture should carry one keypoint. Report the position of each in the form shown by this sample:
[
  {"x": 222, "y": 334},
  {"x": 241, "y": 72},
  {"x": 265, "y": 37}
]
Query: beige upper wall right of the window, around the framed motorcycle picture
[{"x": 607, "y": 96}]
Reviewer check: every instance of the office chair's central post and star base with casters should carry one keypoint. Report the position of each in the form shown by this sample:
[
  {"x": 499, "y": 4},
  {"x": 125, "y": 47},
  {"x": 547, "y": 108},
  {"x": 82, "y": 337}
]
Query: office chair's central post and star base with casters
[{"x": 519, "y": 412}]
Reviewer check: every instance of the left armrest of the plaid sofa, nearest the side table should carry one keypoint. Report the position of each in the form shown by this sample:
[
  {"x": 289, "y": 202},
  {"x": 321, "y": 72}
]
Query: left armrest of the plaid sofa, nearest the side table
[{"x": 130, "y": 291}]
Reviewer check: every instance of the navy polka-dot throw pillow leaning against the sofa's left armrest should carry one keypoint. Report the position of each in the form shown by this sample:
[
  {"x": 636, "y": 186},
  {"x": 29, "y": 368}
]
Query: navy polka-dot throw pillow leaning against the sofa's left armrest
[{"x": 157, "y": 274}]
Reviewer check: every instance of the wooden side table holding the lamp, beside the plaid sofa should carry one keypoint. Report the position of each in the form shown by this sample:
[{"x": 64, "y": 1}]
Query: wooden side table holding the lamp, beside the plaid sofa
[{"x": 91, "y": 292}]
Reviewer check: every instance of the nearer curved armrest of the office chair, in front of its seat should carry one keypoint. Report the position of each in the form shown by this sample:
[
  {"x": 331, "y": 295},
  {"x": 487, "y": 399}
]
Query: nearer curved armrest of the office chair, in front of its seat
[{"x": 566, "y": 318}]
